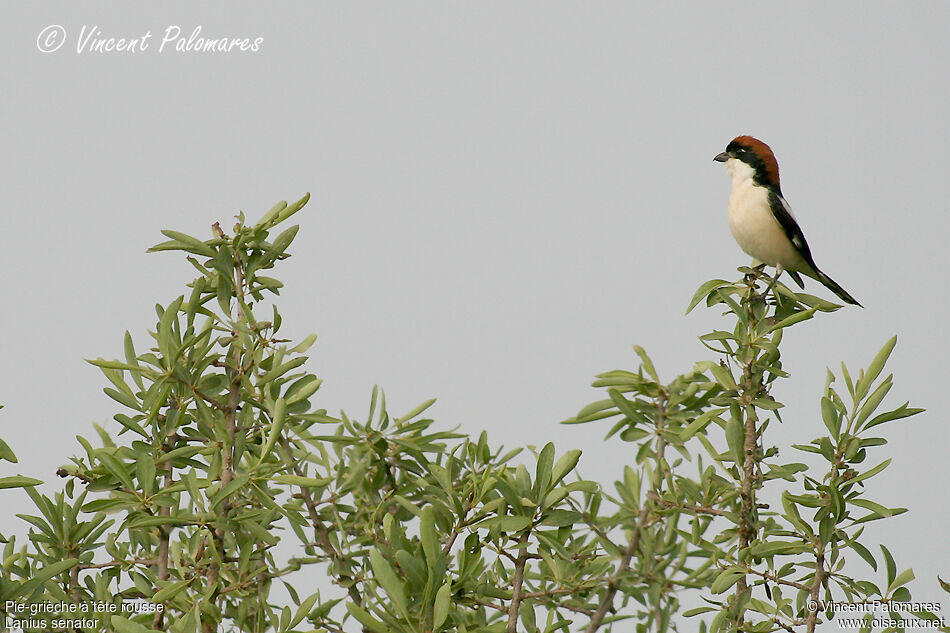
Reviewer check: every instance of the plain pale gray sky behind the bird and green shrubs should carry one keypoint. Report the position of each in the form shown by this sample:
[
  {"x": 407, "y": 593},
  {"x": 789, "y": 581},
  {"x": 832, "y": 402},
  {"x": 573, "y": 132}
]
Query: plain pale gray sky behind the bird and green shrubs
[{"x": 505, "y": 197}]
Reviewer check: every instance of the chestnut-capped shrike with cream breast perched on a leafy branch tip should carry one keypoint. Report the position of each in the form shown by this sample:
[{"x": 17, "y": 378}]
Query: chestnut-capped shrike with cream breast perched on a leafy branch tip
[{"x": 761, "y": 220}]
